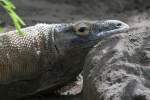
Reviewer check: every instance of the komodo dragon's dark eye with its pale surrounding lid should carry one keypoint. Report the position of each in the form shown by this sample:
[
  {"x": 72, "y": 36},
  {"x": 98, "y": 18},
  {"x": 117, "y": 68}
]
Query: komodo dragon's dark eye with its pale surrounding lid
[{"x": 82, "y": 29}]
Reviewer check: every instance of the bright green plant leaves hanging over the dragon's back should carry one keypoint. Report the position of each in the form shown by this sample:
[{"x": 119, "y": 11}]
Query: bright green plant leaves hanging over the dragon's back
[{"x": 10, "y": 8}]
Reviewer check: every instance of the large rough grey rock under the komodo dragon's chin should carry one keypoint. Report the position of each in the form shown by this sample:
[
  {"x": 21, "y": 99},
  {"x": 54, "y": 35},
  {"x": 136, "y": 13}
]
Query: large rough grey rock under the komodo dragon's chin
[{"x": 118, "y": 68}]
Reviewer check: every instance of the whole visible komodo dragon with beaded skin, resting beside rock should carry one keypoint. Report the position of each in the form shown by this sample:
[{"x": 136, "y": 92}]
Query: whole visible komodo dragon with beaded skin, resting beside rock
[{"x": 49, "y": 55}]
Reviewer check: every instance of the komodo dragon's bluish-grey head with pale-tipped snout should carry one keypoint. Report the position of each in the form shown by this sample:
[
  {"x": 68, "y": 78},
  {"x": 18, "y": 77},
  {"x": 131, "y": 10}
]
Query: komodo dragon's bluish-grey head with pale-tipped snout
[{"x": 84, "y": 34}]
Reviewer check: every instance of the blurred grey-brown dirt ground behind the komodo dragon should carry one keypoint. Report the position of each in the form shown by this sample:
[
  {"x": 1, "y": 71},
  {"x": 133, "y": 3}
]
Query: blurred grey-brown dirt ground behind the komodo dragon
[{"x": 134, "y": 12}]
